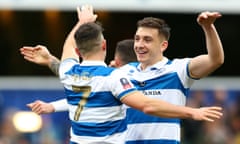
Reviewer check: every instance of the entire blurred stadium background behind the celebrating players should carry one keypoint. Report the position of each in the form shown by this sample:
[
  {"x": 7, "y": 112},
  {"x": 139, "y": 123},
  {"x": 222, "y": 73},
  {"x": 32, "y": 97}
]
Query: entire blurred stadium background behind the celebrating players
[{"x": 32, "y": 22}]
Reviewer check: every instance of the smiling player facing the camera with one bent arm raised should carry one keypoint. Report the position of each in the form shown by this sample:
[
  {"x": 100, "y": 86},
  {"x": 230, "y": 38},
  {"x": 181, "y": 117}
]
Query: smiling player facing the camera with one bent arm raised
[{"x": 170, "y": 80}]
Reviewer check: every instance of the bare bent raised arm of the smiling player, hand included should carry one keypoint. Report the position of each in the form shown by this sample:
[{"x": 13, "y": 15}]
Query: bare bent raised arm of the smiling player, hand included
[{"x": 205, "y": 64}]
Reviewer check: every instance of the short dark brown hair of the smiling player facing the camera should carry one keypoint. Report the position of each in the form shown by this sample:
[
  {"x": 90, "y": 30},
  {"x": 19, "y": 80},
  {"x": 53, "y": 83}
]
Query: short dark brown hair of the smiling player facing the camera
[{"x": 157, "y": 23}]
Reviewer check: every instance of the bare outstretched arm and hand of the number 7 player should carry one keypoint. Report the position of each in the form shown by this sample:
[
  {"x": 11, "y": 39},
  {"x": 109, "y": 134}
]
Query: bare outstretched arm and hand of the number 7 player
[{"x": 161, "y": 108}]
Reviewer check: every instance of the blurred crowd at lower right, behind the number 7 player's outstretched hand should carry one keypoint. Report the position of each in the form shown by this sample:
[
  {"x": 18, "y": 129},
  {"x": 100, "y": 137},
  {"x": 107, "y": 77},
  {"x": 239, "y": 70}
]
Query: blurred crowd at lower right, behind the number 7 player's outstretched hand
[{"x": 223, "y": 131}]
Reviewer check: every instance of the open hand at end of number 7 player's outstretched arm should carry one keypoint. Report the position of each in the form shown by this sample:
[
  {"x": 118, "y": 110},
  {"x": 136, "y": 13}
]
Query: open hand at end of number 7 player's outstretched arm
[{"x": 208, "y": 113}]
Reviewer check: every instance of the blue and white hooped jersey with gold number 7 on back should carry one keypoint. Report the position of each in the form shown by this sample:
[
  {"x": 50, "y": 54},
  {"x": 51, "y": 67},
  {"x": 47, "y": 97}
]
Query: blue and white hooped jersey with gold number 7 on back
[{"x": 93, "y": 93}]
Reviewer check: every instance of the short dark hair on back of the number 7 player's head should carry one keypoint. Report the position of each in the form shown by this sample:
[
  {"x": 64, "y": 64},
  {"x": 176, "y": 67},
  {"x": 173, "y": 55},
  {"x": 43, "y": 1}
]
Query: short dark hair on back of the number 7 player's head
[{"x": 88, "y": 37}]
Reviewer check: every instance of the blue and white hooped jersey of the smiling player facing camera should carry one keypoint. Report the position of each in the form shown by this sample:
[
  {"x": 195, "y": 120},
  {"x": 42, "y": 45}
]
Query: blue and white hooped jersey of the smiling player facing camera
[{"x": 167, "y": 80}]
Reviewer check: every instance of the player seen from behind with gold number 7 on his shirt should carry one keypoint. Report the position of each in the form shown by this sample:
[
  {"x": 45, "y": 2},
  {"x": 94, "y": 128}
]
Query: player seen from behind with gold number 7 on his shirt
[{"x": 95, "y": 93}]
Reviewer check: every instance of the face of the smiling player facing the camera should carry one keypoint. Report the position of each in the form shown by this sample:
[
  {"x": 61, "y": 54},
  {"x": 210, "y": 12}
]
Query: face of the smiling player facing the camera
[{"x": 148, "y": 46}]
